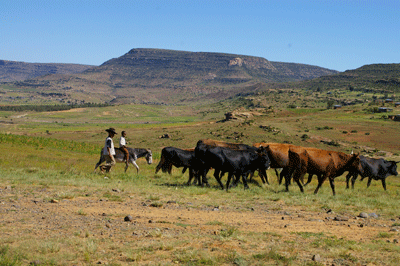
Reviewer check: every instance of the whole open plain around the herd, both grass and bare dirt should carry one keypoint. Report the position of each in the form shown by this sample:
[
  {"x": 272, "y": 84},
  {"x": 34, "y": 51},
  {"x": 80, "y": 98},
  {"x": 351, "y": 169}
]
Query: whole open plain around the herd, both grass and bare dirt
[{"x": 56, "y": 211}]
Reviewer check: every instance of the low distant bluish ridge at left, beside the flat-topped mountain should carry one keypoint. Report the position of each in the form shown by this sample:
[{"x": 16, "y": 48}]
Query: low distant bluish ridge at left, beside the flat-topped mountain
[{"x": 19, "y": 71}]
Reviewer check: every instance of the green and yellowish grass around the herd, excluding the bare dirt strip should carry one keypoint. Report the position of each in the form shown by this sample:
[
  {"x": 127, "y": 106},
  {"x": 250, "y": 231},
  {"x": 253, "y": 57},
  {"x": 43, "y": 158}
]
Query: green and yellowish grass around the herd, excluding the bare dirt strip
[{"x": 62, "y": 161}]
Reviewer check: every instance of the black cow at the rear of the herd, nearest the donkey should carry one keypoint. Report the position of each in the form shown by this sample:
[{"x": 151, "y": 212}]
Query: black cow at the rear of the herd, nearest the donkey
[{"x": 171, "y": 156}]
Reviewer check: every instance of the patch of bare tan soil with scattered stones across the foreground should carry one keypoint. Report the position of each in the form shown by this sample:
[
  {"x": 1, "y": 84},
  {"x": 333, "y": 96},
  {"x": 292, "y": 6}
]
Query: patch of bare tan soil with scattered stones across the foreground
[{"x": 166, "y": 226}]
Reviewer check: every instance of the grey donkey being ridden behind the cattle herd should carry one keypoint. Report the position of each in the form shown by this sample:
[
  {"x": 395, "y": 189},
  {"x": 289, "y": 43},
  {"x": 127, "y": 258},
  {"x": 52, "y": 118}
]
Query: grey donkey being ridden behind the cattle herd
[{"x": 134, "y": 154}]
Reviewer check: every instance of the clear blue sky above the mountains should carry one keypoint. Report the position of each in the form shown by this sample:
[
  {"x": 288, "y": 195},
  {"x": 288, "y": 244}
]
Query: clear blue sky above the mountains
[{"x": 336, "y": 34}]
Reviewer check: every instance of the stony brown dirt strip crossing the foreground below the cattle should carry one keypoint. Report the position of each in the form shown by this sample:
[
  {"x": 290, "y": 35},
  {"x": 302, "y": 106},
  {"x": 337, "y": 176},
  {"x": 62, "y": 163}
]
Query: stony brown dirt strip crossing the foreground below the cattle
[{"x": 37, "y": 216}]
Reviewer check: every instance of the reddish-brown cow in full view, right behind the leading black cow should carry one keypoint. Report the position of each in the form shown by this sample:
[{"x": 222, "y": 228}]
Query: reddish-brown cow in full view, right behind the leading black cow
[{"x": 326, "y": 164}]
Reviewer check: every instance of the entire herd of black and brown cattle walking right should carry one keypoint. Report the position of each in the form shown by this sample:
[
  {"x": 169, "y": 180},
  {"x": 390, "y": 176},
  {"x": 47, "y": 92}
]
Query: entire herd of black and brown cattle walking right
[{"x": 241, "y": 161}]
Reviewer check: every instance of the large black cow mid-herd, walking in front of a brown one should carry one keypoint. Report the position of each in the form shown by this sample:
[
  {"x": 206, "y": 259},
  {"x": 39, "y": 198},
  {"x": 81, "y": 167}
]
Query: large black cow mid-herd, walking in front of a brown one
[{"x": 235, "y": 162}]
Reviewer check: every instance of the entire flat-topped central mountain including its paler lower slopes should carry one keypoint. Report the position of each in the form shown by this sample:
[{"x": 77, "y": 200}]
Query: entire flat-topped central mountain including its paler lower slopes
[{"x": 169, "y": 77}]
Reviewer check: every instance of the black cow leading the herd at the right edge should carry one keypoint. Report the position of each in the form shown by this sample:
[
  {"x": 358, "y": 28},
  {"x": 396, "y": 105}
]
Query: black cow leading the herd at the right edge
[{"x": 377, "y": 169}]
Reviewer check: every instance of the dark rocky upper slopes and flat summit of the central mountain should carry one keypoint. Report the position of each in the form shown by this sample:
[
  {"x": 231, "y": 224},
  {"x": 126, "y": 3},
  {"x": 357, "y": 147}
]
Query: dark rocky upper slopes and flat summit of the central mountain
[{"x": 200, "y": 68}]
